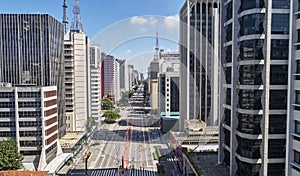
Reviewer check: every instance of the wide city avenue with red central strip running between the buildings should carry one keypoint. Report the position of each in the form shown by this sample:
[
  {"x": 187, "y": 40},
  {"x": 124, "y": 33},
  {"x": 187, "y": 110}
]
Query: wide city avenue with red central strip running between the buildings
[{"x": 127, "y": 143}]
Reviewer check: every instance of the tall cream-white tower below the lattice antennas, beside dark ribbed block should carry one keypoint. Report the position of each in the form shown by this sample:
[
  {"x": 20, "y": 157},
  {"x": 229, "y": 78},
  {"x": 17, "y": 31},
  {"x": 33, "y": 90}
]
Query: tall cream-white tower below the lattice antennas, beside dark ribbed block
[{"x": 77, "y": 80}]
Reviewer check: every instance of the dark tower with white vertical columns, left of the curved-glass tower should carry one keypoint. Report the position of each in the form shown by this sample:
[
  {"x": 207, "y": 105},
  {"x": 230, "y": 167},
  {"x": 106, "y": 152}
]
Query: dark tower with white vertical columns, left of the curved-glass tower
[{"x": 199, "y": 46}]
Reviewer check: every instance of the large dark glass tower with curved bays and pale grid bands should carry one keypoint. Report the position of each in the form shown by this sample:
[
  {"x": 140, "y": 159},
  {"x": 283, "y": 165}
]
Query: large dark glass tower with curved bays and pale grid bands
[{"x": 255, "y": 60}]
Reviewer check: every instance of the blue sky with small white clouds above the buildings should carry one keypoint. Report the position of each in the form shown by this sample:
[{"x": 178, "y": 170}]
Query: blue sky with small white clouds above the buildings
[{"x": 123, "y": 28}]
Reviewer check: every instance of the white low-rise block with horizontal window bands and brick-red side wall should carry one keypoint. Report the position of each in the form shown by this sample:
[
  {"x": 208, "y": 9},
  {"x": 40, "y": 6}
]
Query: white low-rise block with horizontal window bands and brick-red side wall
[{"x": 30, "y": 118}]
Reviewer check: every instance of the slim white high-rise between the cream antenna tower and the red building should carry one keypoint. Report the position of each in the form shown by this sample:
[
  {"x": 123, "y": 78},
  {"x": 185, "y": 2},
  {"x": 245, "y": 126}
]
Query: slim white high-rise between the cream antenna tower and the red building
[{"x": 95, "y": 88}]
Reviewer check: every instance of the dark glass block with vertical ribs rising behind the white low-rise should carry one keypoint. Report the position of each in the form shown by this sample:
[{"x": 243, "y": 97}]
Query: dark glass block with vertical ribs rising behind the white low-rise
[{"x": 31, "y": 49}]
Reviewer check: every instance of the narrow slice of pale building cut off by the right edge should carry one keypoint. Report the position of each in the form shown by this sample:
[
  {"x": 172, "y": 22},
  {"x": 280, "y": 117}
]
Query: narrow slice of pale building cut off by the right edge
[{"x": 293, "y": 117}]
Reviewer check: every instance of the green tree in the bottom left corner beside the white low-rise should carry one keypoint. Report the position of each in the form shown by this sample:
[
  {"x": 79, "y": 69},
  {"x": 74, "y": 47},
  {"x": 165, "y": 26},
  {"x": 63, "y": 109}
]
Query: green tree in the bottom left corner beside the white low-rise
[{"x": 10, "y": 158}]
